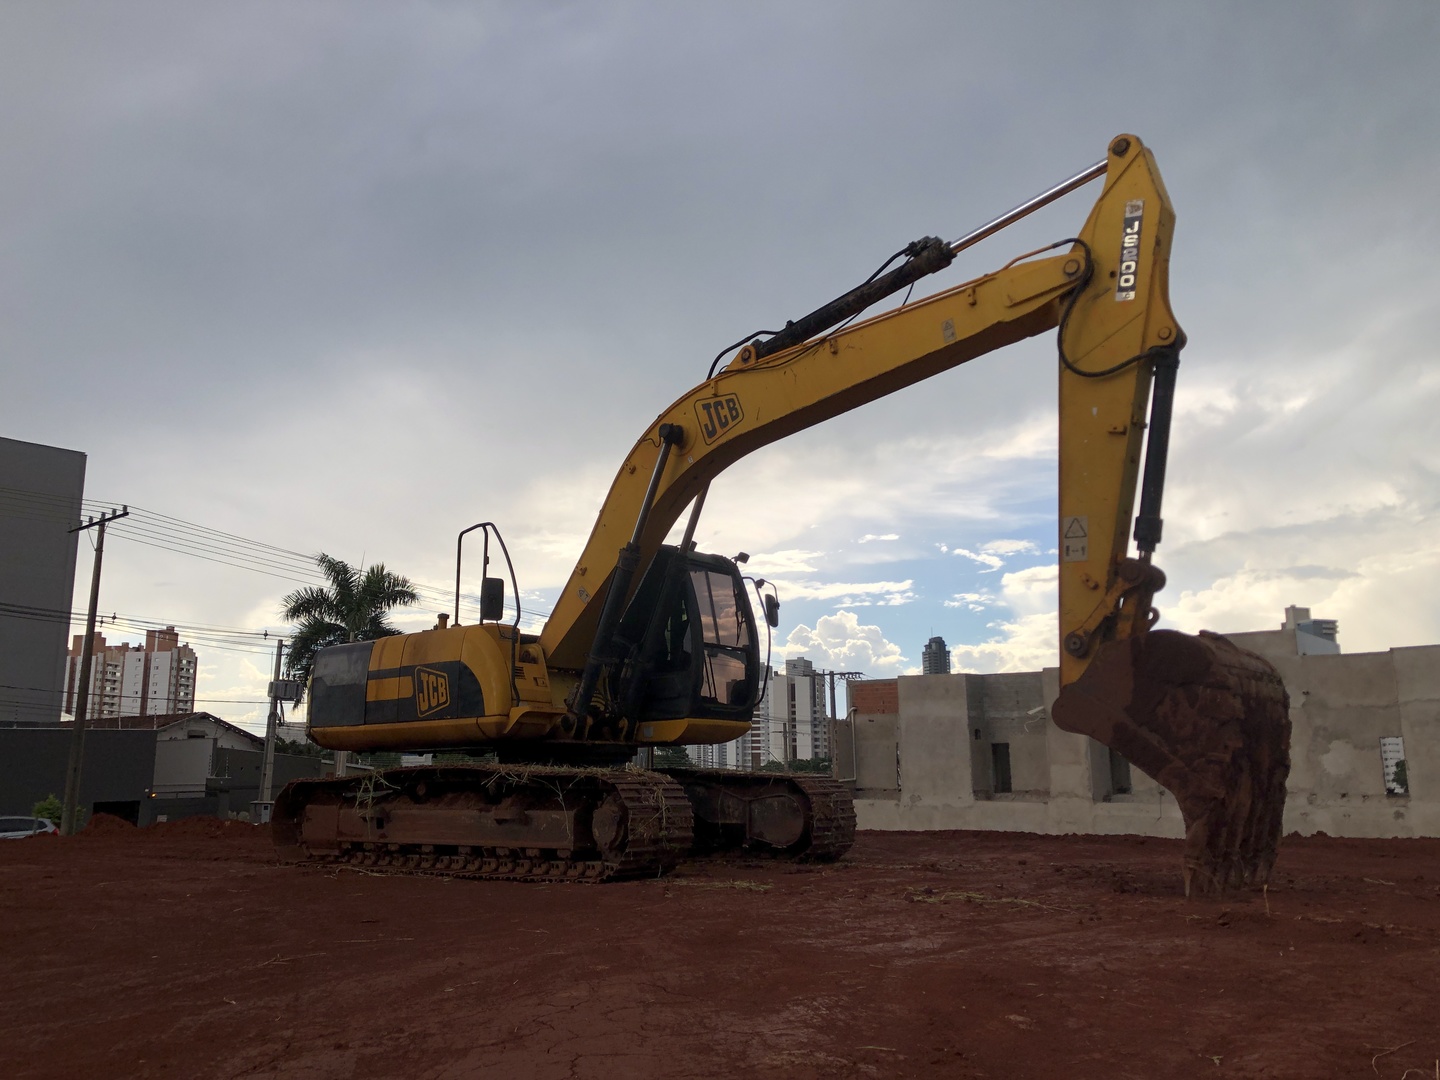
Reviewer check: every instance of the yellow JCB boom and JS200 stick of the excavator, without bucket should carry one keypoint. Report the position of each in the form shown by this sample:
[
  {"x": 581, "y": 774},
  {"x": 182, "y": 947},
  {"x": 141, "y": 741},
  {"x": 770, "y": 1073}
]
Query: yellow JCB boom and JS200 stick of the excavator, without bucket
[{"x": 1110, "y": 297}]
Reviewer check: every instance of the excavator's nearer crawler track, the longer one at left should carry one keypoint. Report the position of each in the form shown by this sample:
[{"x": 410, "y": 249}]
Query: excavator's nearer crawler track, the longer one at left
[{"x": 498, "y": 823}]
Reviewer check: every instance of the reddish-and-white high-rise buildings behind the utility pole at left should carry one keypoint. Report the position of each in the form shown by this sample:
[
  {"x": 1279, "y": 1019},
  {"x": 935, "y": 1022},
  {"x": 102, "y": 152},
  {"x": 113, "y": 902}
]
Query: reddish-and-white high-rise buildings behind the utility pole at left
[{"x": 135, "y": 680}]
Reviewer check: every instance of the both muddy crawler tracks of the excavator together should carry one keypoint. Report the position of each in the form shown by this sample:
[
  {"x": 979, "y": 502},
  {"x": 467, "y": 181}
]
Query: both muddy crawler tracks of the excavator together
[{"x": 554, "y": 824}]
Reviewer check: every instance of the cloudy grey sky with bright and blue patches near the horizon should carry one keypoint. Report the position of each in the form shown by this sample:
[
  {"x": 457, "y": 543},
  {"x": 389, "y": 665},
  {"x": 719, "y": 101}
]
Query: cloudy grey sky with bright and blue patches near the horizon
[{"x": 351, "y": 277}]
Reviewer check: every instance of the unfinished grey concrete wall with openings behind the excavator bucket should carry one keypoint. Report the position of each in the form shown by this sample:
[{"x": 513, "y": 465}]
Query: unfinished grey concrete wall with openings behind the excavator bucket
[{"x": 1341, "y": 706}]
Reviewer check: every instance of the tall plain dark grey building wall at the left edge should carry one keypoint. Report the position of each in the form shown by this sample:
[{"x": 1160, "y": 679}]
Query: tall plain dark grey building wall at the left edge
[{"x": 41, "y": 490}]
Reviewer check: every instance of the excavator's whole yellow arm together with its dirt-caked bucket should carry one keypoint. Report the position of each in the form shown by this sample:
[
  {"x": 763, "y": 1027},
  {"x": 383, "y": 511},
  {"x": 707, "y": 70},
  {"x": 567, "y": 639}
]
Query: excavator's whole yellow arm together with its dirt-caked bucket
[{"x": 1206, "y": 719}]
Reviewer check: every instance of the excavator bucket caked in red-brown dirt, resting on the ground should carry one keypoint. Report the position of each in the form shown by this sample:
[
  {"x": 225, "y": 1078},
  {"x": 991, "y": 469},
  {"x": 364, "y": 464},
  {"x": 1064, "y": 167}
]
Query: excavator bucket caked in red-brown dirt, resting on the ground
[{"x": 1212, "y": 724}]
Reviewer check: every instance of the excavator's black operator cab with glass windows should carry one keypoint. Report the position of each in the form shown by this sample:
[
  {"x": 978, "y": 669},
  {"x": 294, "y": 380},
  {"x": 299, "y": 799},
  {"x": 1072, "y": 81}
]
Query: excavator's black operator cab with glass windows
[{"x": 688, "y": 643}]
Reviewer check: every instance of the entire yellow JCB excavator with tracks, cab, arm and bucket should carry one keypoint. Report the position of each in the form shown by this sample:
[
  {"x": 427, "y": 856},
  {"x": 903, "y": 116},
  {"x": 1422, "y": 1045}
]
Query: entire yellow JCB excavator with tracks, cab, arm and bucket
[{"x": 654, "y": 644}]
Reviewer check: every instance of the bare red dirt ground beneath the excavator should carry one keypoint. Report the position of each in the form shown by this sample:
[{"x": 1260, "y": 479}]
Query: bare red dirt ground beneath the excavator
[{"x": 186, "y": 951}]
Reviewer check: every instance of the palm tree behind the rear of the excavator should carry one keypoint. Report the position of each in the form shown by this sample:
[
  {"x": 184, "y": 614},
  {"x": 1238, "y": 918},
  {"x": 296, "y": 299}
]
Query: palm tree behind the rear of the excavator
[{"x": 354, "y": 608}]
